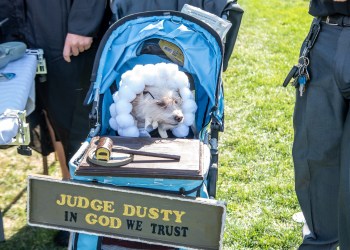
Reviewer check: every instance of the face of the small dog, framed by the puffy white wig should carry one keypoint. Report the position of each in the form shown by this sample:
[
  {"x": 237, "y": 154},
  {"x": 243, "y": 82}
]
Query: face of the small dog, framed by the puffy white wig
[{"x": 158, "y": 105}]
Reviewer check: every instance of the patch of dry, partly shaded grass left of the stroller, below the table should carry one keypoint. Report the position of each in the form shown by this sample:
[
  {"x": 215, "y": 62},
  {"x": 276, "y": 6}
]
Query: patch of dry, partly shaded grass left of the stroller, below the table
[{"x": 14, "y": 171}]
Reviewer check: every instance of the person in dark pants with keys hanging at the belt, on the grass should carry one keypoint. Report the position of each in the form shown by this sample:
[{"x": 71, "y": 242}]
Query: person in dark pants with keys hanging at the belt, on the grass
[{"x": 321, "y": 149}]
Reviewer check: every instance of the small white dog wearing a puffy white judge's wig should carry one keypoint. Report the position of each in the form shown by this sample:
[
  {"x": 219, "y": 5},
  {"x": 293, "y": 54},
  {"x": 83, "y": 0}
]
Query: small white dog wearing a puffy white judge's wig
[{"x": 153, "y": 96}]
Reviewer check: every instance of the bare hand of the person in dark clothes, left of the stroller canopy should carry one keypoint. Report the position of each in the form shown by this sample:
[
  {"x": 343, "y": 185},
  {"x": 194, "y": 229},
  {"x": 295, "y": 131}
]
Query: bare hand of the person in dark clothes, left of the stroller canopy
[{"x": 75, "y": 44}]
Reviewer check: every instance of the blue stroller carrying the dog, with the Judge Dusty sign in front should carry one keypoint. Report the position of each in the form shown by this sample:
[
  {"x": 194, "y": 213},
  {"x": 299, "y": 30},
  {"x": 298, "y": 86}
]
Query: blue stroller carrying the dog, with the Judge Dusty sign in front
[{"x": 133, "y": 40}]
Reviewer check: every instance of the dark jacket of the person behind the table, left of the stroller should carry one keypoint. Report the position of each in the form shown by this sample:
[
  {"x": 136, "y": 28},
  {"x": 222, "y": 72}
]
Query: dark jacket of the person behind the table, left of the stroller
[{"x": 44, "y": 24}]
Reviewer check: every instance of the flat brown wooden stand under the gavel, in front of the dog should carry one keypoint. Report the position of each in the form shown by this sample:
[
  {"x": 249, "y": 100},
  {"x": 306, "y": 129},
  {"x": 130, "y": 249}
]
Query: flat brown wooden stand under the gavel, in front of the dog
[{"x": 153, "y": 158}]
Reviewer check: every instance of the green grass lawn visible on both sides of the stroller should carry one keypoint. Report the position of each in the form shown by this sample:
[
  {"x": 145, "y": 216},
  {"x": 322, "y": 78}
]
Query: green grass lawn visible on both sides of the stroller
[{"x": 256, "y": 176}]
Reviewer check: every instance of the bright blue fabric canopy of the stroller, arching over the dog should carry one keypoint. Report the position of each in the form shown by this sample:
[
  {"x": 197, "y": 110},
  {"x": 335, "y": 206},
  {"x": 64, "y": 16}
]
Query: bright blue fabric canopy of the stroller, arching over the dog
[{"x": 202, "y": 52}]
